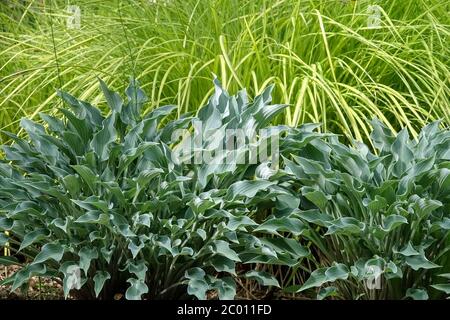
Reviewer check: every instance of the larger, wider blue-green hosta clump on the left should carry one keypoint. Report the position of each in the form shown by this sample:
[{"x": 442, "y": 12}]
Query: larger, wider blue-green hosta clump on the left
[{"x": 101, "y": 203}]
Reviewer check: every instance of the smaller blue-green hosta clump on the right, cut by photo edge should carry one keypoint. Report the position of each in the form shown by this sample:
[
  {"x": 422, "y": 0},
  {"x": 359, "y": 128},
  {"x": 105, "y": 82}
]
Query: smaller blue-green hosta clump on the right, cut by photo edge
[{"x": 379, "y": 222}]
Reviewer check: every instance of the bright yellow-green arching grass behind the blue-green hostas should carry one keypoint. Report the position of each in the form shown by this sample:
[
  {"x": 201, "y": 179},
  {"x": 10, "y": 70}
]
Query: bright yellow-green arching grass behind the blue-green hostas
[{"x": 326, "y": 62}]
